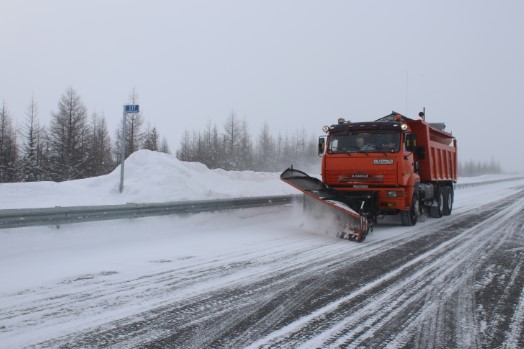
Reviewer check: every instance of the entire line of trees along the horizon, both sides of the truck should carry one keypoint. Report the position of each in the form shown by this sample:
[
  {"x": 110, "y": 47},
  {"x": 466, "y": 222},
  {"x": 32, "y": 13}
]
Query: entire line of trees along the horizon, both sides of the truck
[{"x": 75, "y": 146}]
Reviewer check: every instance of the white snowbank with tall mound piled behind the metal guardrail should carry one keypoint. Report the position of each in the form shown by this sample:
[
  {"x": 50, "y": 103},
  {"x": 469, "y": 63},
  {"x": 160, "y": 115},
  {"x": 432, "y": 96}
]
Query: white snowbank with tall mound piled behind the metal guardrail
[{"x": 149, "y": 177}]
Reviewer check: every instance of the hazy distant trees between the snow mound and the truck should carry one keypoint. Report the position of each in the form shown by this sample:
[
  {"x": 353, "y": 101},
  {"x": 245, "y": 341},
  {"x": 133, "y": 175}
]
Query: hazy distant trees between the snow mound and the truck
[{"x": 234, "y": 148}]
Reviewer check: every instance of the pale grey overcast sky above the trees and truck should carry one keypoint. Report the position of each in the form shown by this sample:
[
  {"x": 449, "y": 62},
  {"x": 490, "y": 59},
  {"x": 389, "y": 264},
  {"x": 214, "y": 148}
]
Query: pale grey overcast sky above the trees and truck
[{"x": 292, "y": 64}]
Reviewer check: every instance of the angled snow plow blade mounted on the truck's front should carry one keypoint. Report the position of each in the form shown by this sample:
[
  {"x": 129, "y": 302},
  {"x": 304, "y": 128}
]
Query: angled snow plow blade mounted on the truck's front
[{"x": 321, "y": 201}]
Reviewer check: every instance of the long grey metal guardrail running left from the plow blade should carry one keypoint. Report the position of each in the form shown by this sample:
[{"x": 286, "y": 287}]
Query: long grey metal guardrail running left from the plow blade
[{"x": 13, "y": 218}]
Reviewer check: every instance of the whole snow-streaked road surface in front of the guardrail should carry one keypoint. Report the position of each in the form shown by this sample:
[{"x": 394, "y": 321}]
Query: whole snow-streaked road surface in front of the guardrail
[{"x": 266, "y": 278}]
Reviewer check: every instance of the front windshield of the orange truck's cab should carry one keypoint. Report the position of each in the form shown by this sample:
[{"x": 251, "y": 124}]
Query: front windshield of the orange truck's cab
[{"x": 364, "y": 142}]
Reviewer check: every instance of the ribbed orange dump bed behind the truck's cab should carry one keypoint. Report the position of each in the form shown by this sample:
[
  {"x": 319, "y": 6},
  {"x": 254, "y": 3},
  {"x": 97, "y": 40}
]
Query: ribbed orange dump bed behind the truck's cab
[{"x": 438, "y": 152}]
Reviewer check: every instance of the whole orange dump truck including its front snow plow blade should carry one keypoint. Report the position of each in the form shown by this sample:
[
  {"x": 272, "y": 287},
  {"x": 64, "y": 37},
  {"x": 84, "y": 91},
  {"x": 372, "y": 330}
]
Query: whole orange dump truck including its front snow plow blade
[{"x": 392, "y": 166}]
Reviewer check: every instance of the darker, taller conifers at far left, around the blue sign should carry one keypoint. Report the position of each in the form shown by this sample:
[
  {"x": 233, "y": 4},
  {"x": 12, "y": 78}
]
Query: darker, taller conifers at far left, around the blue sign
[{"x": 72, "y": 146}]
